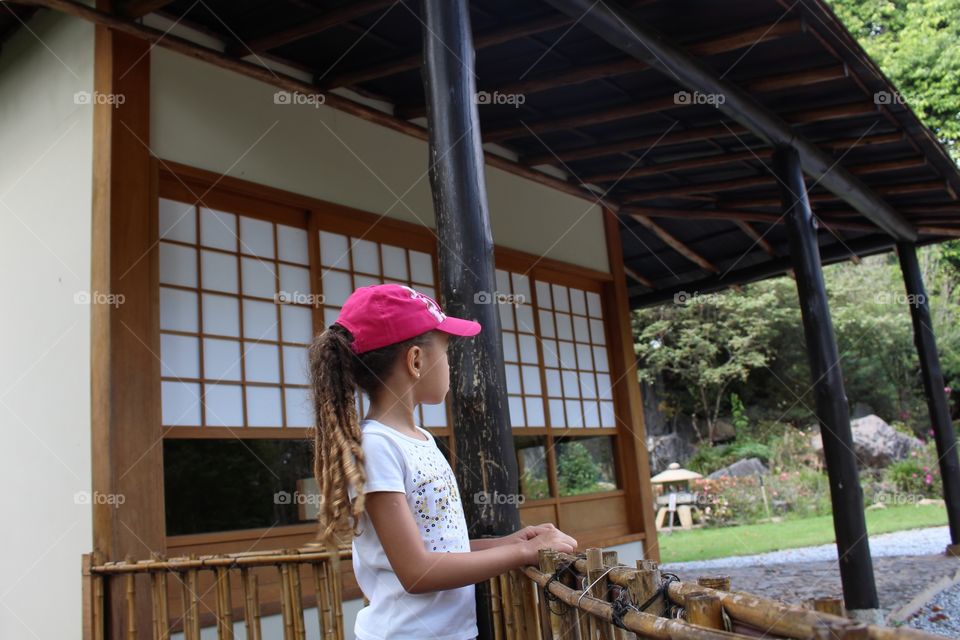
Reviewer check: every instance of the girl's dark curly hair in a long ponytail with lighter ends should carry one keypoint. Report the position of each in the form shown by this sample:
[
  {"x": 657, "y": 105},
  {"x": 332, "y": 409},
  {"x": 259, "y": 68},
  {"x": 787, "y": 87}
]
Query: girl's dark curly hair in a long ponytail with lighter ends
[{"x": 336, "y": 374}]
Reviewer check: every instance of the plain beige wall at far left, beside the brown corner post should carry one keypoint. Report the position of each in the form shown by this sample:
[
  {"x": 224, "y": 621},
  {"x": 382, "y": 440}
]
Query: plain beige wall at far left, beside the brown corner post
[{"x": 45, "y": 208}]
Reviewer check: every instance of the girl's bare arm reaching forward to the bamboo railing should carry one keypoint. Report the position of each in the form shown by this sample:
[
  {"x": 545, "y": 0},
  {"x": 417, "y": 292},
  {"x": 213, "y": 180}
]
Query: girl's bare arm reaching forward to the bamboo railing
[{"x": 421, "y": 571}]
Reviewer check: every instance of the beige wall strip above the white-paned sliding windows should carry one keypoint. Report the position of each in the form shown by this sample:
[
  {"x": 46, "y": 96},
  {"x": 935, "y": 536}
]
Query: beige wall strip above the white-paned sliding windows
[{"x": 223, "y": 122}]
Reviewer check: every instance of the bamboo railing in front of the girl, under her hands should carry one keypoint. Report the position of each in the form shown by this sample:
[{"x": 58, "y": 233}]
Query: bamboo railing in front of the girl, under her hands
[{"x": 593, "y": 596}]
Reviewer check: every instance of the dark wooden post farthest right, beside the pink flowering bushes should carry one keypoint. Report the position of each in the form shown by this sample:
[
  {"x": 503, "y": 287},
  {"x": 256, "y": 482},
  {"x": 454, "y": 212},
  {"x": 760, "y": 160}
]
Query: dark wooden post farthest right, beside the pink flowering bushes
[{"x": 924, "y": 339}]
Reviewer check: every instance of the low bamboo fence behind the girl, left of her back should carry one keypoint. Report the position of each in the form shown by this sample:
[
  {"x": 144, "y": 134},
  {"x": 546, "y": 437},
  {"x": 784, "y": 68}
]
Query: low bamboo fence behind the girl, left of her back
[{"x": 186, "y": 593}]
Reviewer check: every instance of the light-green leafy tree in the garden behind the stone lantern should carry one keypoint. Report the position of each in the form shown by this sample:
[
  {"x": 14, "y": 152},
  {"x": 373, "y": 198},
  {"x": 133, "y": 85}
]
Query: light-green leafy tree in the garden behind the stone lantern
[{"x": 706, "y": 343}]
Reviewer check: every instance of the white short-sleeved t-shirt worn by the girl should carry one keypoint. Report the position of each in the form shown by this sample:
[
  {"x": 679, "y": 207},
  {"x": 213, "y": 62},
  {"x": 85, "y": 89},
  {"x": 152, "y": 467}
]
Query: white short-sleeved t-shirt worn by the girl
[{"x": 397, "y": 462}]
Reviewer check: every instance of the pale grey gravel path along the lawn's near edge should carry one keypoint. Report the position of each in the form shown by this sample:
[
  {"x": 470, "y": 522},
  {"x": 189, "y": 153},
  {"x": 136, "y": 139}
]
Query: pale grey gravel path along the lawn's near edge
[{"x": 913, "y": 542}]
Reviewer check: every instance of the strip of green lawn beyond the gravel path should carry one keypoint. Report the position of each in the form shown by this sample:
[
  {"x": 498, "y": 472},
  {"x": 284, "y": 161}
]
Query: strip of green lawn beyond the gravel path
[{"x": 704, "y": 544}]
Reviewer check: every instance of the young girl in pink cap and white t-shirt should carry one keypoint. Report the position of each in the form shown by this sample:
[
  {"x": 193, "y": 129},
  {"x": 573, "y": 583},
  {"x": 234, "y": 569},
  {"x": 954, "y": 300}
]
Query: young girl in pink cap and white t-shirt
[{"x": 412, "y": 555}]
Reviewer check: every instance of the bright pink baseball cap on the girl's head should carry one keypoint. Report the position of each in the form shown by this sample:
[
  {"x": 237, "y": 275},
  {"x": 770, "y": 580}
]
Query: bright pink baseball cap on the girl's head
[{"x": 383, "y": 314}]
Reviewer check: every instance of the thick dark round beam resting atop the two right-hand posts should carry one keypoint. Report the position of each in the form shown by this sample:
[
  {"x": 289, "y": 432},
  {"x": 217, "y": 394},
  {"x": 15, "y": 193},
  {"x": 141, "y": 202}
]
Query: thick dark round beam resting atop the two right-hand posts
[{"x": 619, "y": 28}]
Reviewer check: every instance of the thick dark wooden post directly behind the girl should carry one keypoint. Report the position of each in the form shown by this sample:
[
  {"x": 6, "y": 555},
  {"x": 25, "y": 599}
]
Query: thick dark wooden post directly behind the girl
[{"x": 483, "y": 440}]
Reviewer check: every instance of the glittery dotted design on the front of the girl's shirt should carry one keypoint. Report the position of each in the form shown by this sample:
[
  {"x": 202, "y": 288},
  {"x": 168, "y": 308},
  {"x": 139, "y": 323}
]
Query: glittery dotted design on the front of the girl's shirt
[{"x": 437, "y": 507}]
